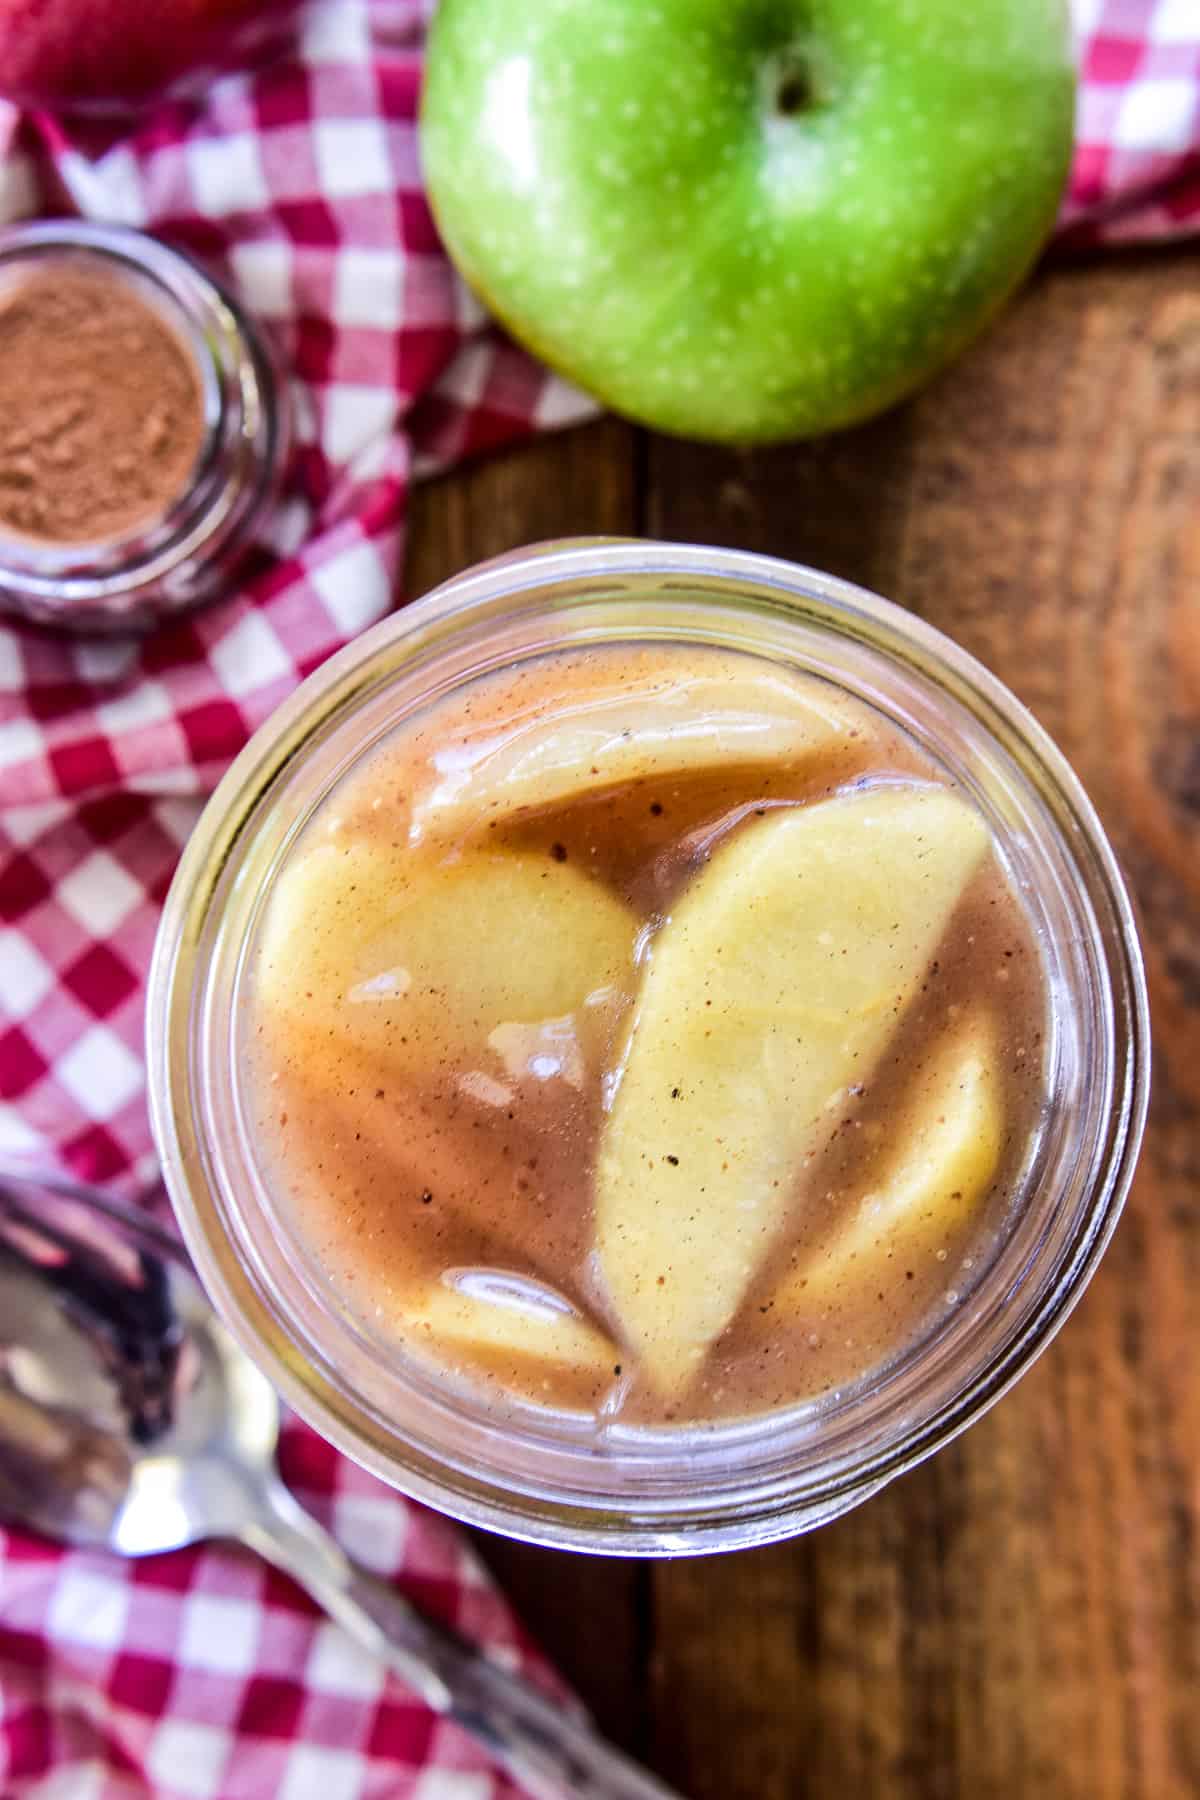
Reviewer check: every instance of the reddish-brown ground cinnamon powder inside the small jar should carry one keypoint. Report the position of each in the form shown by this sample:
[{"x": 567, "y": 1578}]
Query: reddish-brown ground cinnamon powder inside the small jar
[{"x": 102, "y": 409}]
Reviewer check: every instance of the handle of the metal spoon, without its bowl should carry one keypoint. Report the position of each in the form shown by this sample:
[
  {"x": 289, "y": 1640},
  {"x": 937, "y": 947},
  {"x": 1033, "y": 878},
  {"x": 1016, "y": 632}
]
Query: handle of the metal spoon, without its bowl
[{"x": 548, "y": 1750}]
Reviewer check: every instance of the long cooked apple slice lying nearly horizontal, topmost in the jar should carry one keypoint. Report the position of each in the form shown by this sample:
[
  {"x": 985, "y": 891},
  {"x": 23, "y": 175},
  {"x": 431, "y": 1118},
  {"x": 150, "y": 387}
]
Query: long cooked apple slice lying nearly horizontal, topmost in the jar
[{"x": 654, "y": 726}]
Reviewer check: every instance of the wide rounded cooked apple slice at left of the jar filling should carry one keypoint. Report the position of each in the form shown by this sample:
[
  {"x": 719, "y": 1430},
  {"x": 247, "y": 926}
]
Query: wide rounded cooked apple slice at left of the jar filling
[{"x": 424, "y": 962}]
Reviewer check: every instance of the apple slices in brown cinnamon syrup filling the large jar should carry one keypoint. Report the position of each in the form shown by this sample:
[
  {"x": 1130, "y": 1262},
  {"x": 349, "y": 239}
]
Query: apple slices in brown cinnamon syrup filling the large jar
[{"x": 650, "y": 1032}]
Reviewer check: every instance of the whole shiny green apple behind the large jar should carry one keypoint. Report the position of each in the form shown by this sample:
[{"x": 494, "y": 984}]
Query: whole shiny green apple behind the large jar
[{"x": 748, "y": 220}]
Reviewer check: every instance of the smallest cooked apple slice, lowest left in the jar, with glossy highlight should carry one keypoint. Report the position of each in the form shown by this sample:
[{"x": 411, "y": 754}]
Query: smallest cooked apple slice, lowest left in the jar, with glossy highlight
[{"x": 506, "y": 1318}]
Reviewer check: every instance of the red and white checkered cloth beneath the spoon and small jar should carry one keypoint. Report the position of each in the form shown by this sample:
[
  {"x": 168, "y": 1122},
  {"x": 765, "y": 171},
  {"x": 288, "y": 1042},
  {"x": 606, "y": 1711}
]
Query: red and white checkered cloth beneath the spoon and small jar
[{"x": 204, "y": 1675}]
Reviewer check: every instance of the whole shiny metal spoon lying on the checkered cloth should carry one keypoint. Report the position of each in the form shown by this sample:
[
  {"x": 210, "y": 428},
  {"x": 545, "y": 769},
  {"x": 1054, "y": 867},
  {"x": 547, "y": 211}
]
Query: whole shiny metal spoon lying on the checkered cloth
[{"x": 132, "y": 1421}]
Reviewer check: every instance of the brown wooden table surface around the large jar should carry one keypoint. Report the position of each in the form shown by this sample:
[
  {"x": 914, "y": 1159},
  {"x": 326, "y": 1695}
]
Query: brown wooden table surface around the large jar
[{"x": 1021, "y": 1617}]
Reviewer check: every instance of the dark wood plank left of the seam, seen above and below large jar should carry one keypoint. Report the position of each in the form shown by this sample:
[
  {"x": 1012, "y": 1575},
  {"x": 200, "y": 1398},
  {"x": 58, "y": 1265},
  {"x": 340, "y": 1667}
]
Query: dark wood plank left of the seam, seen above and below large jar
[{"x": 587, "y": 1614}]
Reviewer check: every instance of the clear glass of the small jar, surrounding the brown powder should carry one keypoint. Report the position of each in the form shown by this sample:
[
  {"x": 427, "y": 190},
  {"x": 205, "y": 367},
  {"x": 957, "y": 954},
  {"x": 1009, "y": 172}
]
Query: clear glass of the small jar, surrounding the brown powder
[{"x": 186, "y": 550}]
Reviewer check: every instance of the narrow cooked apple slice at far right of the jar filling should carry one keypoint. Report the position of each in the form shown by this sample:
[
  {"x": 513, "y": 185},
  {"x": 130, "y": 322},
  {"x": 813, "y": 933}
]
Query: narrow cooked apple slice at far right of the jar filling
[{"x": 942, "y": 1160}]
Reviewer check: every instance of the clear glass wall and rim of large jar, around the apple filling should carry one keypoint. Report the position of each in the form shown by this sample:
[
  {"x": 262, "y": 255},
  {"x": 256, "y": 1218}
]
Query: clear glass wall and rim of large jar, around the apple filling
[{"x": 542, "y": 1477}]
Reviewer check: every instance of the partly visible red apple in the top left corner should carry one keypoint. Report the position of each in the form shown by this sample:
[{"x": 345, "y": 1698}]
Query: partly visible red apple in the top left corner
[{"x": 89, "y": 53}]
